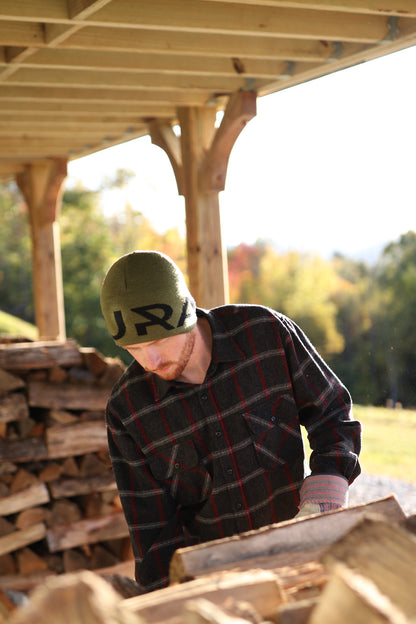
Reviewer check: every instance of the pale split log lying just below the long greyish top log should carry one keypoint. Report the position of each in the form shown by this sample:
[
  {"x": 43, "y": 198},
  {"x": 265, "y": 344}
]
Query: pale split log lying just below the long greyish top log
[{"x": 257, "y": 587}]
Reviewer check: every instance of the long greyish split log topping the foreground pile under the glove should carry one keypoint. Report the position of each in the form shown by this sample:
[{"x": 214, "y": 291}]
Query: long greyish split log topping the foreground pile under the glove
[{"x": 292, "y": 536}]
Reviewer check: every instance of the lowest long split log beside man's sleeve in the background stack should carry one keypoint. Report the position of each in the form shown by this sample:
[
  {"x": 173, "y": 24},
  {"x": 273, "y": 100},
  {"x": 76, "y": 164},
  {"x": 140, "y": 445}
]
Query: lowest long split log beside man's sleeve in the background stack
[{"x": 87, "y": 531}]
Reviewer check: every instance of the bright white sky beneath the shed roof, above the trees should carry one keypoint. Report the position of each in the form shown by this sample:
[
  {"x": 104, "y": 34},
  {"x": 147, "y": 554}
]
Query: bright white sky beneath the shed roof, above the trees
[{"x": 326, "y": 166}]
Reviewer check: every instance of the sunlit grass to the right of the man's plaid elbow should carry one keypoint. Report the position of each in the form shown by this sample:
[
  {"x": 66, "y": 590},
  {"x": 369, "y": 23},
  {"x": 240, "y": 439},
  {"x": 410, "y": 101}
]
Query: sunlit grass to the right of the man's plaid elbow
[{"x": 389, "y": 441}]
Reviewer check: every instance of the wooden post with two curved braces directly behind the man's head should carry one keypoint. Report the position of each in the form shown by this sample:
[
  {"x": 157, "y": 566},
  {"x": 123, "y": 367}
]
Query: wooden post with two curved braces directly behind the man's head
[{"x": 200, "y": 159}]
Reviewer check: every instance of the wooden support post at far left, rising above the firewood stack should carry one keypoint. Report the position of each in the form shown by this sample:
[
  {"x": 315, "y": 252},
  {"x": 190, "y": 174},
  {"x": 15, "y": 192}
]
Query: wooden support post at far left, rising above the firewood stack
[{"x": 41, "y": 185}]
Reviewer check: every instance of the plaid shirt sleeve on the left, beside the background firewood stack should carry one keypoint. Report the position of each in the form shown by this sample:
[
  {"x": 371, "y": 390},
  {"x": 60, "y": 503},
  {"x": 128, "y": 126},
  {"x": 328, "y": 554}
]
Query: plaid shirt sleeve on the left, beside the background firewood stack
[{"x": 152, "y": 516}]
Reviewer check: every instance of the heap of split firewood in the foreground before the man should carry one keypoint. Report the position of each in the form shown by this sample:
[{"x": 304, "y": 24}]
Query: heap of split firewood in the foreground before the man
[{"x": 354, "y": 565}]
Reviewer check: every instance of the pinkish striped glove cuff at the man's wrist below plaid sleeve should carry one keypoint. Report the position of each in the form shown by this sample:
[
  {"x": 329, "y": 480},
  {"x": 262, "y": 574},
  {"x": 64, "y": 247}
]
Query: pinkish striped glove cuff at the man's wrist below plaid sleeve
[{"x": 329, "y": 491}]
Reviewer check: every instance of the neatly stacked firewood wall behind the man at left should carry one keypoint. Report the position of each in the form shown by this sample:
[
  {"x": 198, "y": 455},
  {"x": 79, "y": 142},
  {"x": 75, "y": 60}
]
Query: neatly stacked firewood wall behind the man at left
[{"x": 59, "y": 507}]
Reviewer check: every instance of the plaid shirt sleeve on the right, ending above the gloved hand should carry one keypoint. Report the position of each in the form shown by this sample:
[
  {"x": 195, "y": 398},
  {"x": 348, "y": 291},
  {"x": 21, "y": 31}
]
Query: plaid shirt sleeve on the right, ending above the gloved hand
[{"x": 324, "y": 407}]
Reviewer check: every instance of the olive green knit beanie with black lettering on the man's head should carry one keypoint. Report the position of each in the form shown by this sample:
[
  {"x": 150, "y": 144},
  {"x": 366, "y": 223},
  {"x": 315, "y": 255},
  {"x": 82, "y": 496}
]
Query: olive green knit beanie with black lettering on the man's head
[{"x": 144, "y": 297}]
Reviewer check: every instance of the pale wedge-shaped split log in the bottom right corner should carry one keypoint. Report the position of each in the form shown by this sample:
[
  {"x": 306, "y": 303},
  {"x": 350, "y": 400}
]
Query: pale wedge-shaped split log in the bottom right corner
[{"x": 349, "y": 597}]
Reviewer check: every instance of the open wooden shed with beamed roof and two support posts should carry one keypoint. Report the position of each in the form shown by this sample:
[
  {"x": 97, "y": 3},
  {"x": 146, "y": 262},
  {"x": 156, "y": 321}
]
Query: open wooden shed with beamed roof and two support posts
[{"x": 77, "y": 76}]
